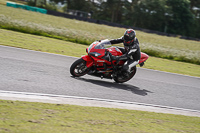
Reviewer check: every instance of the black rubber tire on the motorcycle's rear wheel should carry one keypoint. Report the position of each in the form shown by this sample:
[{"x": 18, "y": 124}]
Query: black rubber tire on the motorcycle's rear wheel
[{"x": 122, "y": 79}]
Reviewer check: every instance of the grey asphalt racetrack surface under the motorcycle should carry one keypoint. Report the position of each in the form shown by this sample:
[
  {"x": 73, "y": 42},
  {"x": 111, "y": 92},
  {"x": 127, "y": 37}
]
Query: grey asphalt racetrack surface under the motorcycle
[{"x": 36, "y": 72}]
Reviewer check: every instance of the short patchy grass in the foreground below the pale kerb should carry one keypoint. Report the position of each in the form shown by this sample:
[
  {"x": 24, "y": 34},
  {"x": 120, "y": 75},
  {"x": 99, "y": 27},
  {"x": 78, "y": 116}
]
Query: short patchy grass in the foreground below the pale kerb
[{"x": 25, "y": 117}]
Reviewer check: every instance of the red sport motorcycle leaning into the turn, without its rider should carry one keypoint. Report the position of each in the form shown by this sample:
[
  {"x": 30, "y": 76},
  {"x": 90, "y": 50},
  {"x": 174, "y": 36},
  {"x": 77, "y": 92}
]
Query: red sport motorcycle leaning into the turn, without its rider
[{"x": 99, "y": 62}]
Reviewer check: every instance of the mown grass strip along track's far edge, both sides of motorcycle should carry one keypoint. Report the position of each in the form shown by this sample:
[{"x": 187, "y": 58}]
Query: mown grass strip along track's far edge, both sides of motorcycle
[{"x": 45, "y": 44}]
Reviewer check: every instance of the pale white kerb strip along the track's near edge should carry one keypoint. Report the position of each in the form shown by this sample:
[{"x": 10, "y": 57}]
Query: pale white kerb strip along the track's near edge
[{"x": 95, "y": 102}]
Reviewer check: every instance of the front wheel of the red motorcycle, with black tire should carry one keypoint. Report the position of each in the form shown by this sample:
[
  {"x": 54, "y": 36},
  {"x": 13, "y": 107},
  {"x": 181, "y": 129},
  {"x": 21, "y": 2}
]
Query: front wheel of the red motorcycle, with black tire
[{"x": 79, "y": 68}]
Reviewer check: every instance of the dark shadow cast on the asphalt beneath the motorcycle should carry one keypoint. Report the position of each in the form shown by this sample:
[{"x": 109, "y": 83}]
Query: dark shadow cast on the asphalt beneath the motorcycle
[{"x": 133, "y": 89}]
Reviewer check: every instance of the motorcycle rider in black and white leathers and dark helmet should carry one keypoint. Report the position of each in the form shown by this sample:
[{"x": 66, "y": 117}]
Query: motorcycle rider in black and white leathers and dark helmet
[{"x": 131, "y": 50}]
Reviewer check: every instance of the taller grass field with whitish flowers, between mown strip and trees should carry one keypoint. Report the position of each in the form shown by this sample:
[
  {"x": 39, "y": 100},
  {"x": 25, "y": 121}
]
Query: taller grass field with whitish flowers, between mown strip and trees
[{"x": 85, "y": 33}]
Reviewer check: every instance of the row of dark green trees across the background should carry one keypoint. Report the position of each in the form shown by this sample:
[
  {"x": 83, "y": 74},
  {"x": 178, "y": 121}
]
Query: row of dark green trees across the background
[{"x": 181, "y": 17}]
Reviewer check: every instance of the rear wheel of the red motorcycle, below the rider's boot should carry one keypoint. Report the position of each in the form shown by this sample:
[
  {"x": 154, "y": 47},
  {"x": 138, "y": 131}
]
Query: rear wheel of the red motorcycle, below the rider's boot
[{"x": 125, "y": 76}]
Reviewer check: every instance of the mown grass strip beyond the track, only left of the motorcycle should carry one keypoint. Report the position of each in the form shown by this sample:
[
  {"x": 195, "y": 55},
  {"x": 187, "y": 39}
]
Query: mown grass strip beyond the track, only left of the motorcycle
[{"x": 40, "y": 43}]
